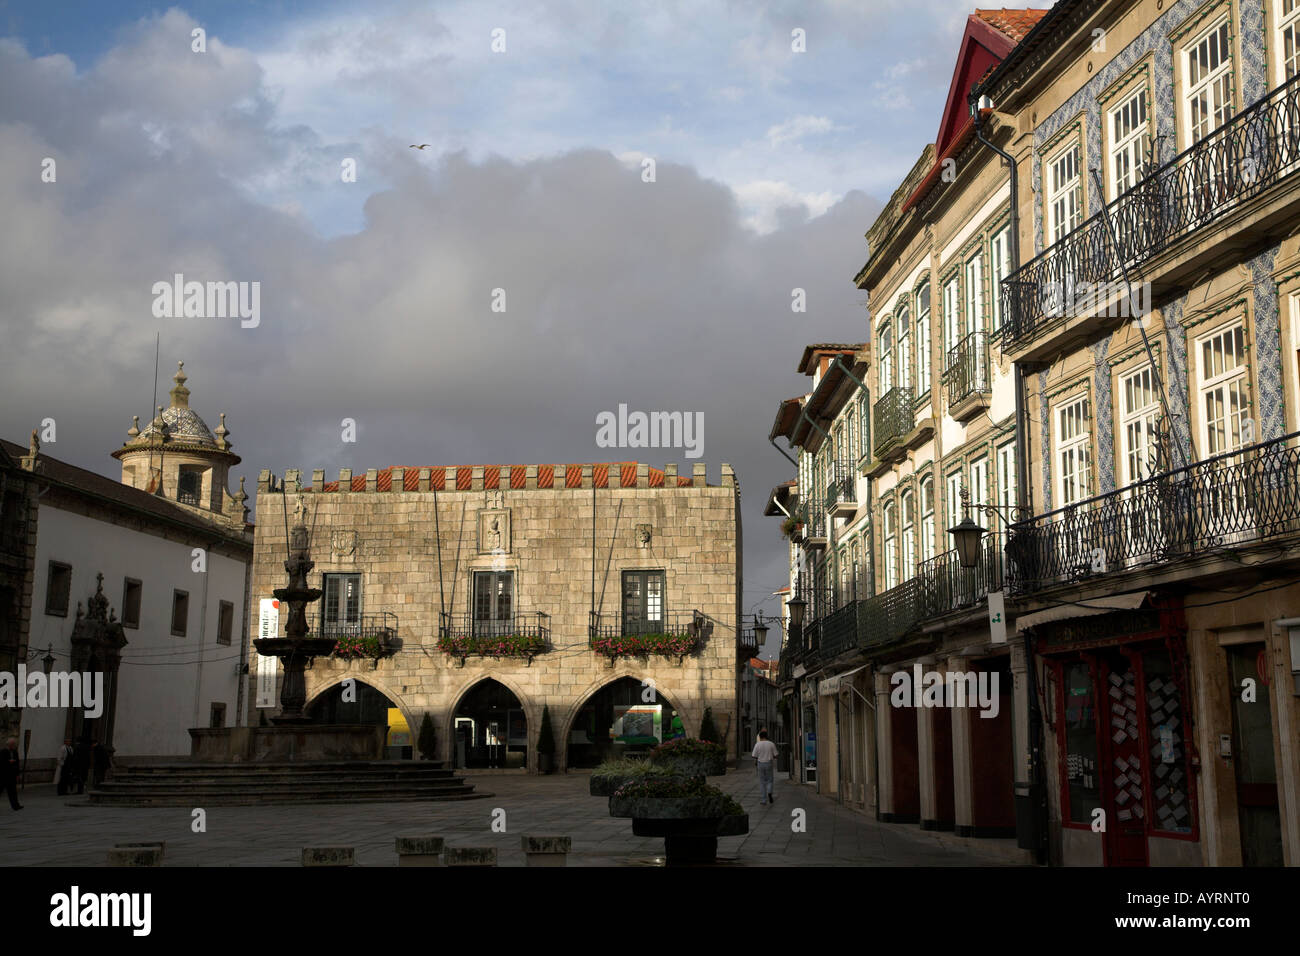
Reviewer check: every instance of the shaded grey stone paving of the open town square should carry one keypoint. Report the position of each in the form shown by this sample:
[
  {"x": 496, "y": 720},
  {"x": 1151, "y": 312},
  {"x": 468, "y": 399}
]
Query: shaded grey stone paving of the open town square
[{"x": 67, "y": 832}]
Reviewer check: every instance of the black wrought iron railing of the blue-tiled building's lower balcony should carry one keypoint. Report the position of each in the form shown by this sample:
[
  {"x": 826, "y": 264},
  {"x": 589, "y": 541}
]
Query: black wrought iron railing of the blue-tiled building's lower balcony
[{"x": 1228, "y": 501}]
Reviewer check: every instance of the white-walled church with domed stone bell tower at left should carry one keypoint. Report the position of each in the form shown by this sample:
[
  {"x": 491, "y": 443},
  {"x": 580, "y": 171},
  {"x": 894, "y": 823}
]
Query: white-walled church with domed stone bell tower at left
[{"x": 145, "y": 581}]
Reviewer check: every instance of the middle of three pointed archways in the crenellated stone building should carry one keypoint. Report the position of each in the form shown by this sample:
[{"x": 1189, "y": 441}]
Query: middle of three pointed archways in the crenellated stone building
[{"x": 489, "y": 726}]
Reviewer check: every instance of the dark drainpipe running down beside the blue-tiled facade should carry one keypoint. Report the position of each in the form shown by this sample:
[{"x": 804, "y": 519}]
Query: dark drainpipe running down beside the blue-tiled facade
[{"x": 1035, "y": 840}]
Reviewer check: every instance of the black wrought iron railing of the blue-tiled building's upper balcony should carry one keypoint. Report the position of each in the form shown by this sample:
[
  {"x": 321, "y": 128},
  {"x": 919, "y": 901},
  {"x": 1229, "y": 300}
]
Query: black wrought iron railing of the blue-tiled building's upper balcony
[{"x": 1243, "y": 158}]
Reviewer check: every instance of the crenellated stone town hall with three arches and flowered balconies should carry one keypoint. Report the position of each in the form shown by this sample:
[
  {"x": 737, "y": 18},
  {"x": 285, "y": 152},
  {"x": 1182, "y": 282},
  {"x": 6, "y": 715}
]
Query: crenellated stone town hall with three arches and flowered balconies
[{"x": 480, "y": 595}]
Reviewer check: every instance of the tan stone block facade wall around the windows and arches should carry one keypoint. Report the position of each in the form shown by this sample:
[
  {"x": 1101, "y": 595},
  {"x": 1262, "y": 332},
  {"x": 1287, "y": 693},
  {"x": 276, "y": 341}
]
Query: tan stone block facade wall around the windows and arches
[{"x": 395, "y": 538}]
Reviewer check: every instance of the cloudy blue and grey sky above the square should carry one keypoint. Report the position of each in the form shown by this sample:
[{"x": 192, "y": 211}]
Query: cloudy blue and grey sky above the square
[{"x": 376, "y": 295}]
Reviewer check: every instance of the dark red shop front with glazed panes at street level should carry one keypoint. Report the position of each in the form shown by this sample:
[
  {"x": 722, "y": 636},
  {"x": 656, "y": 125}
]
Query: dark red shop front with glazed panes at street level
[{"x": 1119, "y": 703}]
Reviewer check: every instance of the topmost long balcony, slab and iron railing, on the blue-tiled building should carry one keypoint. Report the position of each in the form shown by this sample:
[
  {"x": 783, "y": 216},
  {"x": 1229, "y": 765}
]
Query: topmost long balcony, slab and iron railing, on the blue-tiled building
[{"x": 1171, "y": 226}]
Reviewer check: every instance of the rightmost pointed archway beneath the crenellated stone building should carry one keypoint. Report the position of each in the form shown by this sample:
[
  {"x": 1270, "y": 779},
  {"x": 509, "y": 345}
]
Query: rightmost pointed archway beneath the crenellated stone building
[{"x": 614, "y": 717}]
